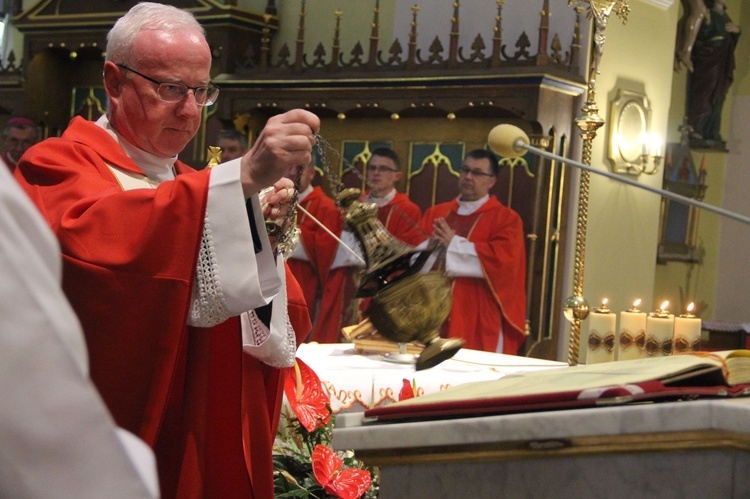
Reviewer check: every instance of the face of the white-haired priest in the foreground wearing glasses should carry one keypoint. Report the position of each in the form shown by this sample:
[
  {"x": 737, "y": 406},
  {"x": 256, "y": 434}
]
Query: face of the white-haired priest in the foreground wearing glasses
[{"x": 137, "y": 112}]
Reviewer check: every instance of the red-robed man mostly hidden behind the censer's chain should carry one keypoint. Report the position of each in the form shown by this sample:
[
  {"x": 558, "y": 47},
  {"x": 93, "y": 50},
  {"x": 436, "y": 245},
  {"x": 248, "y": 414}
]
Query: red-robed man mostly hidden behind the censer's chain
[{"x": 311, "y": 260}]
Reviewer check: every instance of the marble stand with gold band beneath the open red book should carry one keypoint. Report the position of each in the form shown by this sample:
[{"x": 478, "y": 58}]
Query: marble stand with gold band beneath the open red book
[{"x": 686, "y": 449}]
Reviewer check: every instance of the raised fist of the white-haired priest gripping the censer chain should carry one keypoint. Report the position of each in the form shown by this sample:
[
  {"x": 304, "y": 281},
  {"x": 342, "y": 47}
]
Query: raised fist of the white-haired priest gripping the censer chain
[{"x": 286, "y": 140}]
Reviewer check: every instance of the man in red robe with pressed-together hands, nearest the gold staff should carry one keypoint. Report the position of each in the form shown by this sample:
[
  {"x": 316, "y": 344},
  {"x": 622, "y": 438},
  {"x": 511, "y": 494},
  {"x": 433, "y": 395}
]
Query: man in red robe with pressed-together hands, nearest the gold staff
[{"x": 483, "y": 245}]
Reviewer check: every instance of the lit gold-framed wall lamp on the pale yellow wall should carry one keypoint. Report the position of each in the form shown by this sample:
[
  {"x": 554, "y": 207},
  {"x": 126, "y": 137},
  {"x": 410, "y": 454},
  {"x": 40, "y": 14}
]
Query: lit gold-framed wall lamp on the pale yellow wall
[{"x": 632, "y": 148}]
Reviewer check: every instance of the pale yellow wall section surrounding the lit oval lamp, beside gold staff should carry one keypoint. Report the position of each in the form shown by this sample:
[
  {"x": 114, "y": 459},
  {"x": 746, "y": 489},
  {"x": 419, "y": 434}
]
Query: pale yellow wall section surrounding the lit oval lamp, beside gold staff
[{"x": 623, "y": 221}]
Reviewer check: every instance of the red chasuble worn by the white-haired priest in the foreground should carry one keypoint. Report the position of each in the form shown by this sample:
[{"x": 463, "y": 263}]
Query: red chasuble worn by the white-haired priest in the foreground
[{"x": 129, "y": 260}]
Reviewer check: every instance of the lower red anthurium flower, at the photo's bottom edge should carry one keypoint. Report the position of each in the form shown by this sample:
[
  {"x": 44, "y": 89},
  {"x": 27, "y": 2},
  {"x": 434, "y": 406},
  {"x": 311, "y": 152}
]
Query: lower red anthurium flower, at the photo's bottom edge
[{"x": 350, "y": 483}]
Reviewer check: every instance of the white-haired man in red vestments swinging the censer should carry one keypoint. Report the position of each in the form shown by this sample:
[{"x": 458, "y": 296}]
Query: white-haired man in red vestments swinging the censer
[{"x": 171, "y": 272}]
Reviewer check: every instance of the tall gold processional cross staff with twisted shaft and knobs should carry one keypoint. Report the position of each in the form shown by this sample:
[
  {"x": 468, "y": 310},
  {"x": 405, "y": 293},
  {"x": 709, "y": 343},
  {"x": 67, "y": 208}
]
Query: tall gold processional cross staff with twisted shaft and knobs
[{"x": 576, "y": 307}]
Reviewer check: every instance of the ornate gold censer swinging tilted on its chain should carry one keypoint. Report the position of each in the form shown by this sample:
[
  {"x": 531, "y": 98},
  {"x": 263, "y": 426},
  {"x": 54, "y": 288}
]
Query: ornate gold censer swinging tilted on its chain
[{"x": 407, "y": 305}]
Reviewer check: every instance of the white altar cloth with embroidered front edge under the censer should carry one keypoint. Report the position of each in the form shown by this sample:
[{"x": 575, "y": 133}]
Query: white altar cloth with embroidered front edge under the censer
[{"x": 356, "y": 382}]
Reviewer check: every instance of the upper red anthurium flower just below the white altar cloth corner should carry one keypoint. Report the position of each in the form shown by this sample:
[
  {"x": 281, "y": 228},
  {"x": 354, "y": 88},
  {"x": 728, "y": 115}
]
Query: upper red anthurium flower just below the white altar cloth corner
[{"x": 306, "y": 396}]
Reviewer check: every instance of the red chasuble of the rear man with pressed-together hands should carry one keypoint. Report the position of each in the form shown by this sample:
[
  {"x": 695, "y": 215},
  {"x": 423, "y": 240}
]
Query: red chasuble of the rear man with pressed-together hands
[{"x": 480, "y": 306}]
